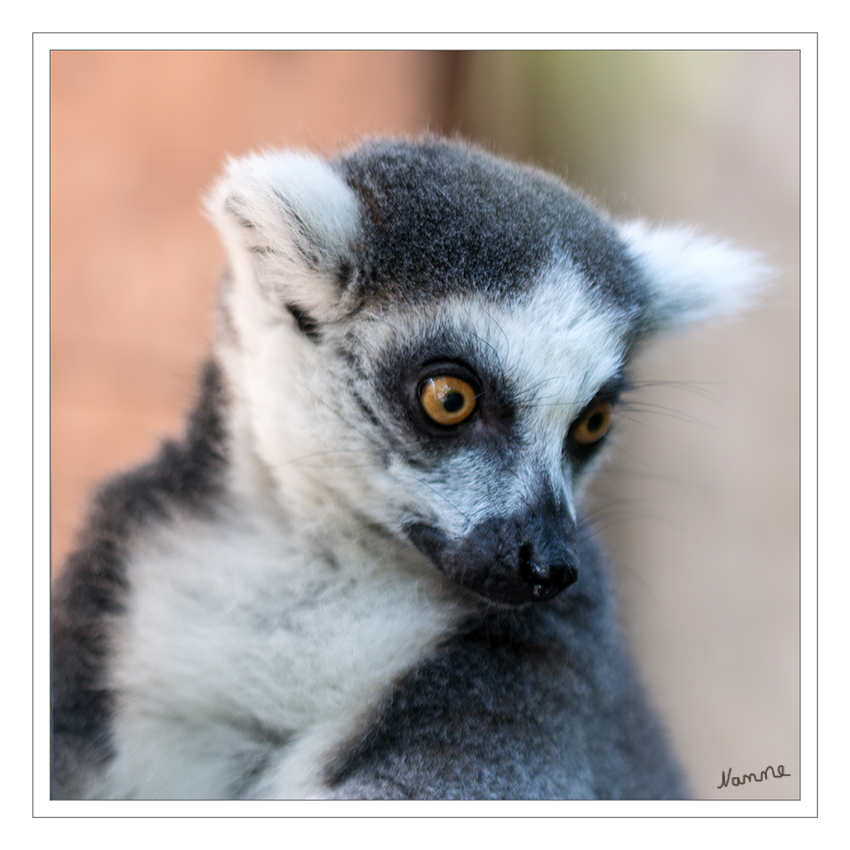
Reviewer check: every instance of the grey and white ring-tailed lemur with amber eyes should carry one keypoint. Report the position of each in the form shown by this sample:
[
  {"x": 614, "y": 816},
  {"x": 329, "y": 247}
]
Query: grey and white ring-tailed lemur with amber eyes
[{"x": 347, "y": 581}]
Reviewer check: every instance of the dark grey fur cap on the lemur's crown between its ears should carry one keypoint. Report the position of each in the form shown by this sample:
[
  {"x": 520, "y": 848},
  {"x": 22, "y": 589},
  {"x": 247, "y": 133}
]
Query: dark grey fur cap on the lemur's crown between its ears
[{"x": 434, "y": 212}]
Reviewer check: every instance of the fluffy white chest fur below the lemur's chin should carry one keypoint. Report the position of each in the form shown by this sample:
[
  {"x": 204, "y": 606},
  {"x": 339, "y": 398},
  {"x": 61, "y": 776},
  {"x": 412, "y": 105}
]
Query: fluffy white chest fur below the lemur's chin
[{"x": 242, "y": 663}]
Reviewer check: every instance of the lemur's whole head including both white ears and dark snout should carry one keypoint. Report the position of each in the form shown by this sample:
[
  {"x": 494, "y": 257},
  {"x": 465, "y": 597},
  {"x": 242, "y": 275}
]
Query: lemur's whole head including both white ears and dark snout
[{"x": 430, "y": 341}]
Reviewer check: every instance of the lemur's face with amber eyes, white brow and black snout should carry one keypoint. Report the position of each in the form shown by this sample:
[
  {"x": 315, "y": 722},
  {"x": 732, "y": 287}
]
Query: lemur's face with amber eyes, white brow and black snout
[{"x": 487, "y": 431}]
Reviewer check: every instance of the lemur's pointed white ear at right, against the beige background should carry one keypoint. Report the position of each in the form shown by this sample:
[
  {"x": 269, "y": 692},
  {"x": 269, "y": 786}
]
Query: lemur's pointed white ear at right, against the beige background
[{"x": 693, "y": 277}]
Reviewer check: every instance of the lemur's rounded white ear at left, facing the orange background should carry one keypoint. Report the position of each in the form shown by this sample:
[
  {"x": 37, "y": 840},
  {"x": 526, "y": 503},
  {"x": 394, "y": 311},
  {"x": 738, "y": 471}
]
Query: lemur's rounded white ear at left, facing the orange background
[{"x": 289, "y": 222}]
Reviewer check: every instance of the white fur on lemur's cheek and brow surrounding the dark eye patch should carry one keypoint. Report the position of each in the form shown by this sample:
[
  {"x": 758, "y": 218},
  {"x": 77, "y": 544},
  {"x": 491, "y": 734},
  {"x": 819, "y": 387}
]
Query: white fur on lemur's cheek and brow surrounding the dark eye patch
[{"x": 328, "y": 463}]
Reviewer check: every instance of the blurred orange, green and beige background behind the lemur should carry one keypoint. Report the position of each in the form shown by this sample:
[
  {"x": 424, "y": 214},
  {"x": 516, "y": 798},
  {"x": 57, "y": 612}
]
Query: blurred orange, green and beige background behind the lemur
[{"x": 699, "y": 503}]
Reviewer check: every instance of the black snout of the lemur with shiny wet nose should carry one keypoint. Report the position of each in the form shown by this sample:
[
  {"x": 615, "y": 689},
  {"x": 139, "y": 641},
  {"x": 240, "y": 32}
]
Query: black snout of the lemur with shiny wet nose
[{"x": 528, "y": 558}]
